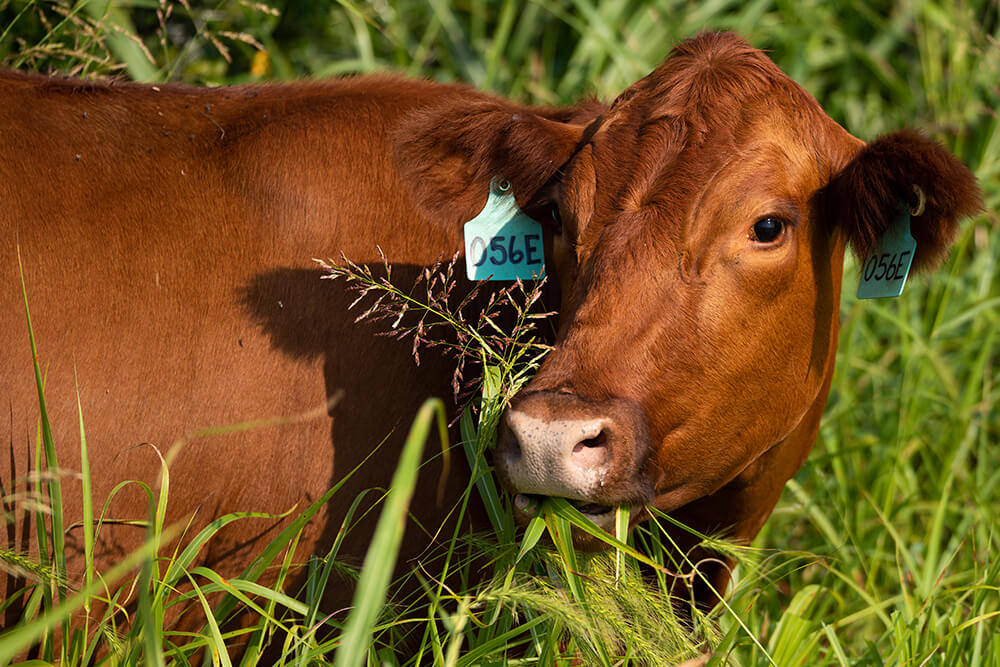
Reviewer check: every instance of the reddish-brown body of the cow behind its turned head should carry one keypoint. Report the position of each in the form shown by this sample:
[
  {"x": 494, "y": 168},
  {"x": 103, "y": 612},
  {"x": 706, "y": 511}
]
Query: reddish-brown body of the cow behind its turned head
[{"x": 167, "y": 237}]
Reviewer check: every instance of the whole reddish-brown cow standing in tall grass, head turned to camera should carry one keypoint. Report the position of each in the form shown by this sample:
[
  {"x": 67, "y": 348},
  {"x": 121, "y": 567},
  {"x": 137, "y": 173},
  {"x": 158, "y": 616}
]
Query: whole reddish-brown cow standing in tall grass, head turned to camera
[{"x": 694, "y": 233}]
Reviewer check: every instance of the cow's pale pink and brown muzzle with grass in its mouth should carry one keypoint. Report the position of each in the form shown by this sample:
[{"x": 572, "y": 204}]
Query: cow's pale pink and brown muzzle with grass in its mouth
[{"x": 593, "y": 453}]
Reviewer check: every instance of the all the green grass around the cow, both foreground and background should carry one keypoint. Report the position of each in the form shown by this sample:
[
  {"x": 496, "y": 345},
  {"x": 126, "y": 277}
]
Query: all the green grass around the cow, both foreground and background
[{"x": 881, "y": 550}]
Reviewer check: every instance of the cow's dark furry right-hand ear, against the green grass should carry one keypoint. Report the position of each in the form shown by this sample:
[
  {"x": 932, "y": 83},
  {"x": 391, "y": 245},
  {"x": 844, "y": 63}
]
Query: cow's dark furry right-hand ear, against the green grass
[{"x": 904, "y": 167}]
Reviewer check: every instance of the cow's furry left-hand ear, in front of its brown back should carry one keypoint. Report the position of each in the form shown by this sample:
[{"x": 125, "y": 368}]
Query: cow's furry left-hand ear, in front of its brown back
[{"x": 450, "y": 153}]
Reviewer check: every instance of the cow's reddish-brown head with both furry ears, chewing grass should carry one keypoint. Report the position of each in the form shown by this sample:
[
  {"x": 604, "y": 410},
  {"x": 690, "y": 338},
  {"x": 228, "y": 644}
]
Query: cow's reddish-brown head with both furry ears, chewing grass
[{"x": 702, "y": 224}]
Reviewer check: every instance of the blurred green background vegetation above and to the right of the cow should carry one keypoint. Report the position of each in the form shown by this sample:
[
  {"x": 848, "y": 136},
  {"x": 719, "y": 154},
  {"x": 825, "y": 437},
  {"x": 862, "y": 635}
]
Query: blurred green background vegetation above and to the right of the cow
[{"x": 883, "y": 548}]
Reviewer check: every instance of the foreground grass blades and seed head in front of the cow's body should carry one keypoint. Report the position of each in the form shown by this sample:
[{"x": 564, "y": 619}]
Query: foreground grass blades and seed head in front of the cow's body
[{"x": 597, "y": 607}]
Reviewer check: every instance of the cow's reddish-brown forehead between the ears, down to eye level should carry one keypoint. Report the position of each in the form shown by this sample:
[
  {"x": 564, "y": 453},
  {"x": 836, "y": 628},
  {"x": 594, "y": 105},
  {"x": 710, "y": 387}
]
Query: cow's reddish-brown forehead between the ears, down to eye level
[{"x": 716, "y": 137}]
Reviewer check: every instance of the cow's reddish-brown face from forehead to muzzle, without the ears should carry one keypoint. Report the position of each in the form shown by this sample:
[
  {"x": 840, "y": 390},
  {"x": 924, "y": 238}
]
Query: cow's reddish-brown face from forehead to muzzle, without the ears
[{"x": 698, "y": 323}]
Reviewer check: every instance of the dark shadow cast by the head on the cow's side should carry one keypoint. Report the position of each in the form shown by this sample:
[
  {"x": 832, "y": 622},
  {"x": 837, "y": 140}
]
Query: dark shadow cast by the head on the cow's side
[{"x": 380, "y": 389}]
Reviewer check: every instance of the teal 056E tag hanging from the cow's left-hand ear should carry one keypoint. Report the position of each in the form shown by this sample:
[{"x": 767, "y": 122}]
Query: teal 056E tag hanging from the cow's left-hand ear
[{"x": 502, "y": 243}]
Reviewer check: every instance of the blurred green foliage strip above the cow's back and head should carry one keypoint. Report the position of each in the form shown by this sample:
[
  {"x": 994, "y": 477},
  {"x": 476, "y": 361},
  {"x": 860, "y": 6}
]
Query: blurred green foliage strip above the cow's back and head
[{"x": 873, "y": 65}]
